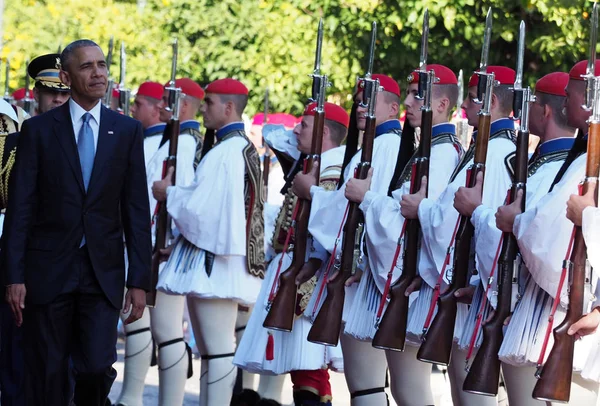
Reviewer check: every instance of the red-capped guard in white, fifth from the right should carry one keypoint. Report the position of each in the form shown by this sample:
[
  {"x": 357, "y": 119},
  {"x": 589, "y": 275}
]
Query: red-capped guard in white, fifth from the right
[{"x": 364, "y": 366}]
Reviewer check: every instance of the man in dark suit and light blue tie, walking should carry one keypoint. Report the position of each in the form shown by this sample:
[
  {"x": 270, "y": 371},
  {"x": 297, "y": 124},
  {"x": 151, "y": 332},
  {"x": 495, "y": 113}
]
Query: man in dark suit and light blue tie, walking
[{"x": 78, "y": 185}]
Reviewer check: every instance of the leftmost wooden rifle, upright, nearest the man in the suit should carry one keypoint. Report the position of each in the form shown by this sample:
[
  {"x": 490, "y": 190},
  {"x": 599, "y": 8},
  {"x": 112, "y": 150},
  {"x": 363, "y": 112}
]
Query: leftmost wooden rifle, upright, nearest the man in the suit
[{"x": 163, "y": 221}]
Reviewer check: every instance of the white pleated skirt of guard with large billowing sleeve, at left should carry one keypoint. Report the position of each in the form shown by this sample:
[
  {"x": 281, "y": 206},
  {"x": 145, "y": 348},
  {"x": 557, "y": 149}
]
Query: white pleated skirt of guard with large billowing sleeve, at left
[{"x": 185, "y": 274}]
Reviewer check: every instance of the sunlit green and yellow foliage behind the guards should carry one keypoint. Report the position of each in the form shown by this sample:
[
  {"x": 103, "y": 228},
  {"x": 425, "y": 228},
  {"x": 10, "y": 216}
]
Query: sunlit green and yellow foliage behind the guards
[{"x": 270, "y": 43}]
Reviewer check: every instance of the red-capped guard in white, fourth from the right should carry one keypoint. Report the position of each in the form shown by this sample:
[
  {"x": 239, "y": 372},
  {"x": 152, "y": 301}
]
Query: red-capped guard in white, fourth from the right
[{"x": 410, "y": 383}]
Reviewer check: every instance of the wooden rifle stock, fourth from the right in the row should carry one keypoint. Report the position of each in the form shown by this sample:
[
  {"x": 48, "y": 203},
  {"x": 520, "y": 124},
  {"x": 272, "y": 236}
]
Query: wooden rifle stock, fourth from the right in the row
[{"x": 391, "y": 333}]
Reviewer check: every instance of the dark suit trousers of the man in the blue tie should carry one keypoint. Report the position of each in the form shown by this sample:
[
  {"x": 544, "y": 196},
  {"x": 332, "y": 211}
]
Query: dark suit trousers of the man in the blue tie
[{"x": 80, "y": 324}]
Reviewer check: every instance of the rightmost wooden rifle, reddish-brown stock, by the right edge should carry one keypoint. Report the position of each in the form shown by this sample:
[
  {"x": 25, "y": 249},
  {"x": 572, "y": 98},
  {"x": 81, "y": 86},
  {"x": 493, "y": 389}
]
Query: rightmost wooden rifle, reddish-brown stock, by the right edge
[{"x": 554, "y": 383}]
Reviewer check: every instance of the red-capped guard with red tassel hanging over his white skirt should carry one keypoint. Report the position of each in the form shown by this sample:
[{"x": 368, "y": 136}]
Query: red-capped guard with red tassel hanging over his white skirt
[{"x": 269, "y": 351}]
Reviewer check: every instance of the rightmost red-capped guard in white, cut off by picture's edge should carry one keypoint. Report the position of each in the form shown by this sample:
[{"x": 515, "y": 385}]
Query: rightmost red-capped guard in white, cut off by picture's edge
[{"x": 543, "y": 233}]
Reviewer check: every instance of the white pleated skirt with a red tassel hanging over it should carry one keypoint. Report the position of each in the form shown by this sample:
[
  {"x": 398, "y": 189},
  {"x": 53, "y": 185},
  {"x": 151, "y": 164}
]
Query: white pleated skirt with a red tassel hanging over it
[{"x": 292, "y": 351}]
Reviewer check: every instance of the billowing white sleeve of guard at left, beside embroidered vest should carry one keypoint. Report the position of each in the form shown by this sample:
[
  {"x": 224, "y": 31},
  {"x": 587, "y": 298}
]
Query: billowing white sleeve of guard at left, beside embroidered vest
[{"x": 210, "y": 212}]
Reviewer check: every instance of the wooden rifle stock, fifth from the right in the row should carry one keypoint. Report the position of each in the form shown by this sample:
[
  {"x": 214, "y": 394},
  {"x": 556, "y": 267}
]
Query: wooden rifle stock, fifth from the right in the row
[{"x": 328, "y": 323}]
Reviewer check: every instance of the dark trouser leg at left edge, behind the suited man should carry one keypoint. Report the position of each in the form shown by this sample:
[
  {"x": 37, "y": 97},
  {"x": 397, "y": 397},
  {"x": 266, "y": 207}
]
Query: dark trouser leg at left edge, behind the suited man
[{"x": 12, "y": 368}]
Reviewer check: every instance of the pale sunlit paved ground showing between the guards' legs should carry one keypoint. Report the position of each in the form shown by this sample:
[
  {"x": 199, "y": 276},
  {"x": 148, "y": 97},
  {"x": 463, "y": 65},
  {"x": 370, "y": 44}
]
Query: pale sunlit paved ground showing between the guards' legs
[{"x": 341, "y": 396}]
